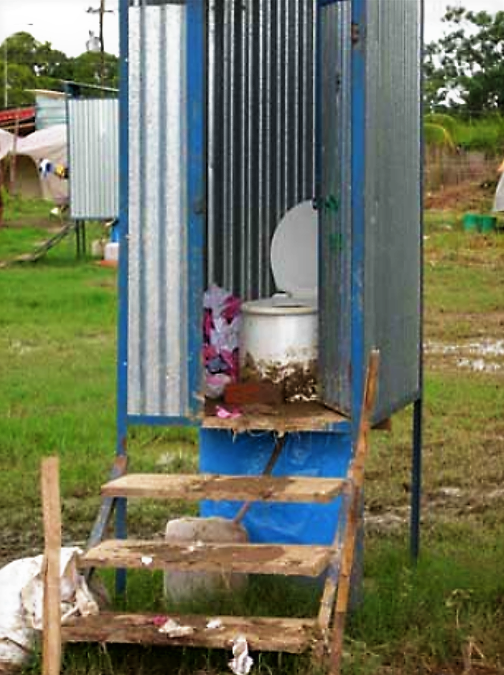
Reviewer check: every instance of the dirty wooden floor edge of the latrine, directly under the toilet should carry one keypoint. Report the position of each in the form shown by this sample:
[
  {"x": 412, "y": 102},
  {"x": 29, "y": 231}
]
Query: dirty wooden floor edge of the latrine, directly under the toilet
[{"x": 289, "y": 417}]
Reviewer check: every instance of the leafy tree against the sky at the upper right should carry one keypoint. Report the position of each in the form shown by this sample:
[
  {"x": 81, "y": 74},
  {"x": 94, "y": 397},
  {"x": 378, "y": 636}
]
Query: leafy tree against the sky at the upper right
[{"x": 465, "y": 68}]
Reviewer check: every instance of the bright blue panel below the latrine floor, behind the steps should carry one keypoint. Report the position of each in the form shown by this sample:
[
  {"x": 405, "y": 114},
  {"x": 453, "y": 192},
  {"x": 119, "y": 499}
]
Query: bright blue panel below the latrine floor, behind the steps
[{"x": 304, "y": 454}]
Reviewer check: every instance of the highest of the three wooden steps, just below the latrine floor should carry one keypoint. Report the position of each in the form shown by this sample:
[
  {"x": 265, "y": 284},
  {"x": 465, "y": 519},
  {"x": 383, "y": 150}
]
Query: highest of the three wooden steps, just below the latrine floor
[{"x": 235, "y": 488}]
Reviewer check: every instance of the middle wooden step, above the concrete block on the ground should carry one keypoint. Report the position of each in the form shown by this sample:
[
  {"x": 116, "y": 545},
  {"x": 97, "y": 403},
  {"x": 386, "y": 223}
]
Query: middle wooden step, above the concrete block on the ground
[{"x": 245, "y": 558}]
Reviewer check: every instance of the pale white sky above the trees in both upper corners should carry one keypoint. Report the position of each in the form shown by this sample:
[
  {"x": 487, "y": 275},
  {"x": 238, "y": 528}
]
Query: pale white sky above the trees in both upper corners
[{"x": 66, "y": 24}]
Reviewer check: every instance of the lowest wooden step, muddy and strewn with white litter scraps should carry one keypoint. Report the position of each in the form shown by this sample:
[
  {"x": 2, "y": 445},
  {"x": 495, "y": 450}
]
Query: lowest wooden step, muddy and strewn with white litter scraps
[{"x": 263, "y": 634}]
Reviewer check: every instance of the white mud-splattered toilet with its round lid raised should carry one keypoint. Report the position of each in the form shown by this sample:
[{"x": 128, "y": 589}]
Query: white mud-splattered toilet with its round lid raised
[{"x": 279, "y": 335}]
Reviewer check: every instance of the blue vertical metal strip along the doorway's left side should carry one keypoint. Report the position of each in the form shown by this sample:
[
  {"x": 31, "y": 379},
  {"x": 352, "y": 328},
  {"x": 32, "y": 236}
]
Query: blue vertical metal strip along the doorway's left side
[{"x": 196, "y": 191}]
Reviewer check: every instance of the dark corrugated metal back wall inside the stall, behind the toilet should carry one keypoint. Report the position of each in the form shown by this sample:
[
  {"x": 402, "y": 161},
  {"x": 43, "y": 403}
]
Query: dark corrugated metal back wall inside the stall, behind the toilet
[{"x": 261, "y": 132}]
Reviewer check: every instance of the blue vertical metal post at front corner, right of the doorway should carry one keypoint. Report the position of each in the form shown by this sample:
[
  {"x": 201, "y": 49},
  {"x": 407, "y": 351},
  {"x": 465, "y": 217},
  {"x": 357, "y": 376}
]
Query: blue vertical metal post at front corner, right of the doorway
[{"x": 359, "y": 15}]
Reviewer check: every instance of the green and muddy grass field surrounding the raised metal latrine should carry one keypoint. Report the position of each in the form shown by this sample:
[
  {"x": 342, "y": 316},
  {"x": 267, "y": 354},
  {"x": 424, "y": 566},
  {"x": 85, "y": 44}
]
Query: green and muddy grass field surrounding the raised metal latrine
[{"x": 57, "y": 370}]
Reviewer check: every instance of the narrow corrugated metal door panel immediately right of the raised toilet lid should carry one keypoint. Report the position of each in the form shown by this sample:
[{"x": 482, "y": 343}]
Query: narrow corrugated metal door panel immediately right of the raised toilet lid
[{"x": 335, "y": 204}]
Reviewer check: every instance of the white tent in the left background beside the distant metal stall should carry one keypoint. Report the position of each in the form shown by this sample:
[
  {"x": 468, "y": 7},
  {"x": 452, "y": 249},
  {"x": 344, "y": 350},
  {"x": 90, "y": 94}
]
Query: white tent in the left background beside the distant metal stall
[{"x": 50, "y": 144}]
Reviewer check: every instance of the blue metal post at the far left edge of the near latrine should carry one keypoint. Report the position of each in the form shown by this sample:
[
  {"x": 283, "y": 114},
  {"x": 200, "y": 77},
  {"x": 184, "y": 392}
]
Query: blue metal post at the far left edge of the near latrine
[{"x": 122, "y": 338}]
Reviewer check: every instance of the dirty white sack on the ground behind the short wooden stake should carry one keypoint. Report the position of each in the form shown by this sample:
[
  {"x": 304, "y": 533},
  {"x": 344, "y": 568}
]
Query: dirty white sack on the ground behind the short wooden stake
[{"x": 22, "y": 595}]
